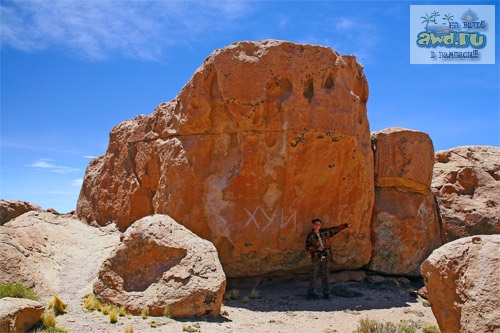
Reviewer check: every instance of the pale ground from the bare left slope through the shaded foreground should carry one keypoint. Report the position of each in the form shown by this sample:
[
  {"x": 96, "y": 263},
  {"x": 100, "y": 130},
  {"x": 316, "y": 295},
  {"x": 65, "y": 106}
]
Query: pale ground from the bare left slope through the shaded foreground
[{"x": 69, "y": 255}]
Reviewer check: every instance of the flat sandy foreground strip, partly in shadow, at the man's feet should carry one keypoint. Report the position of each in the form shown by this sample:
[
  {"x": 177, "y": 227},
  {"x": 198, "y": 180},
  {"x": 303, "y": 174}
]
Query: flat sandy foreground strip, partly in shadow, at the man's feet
[{"x": 280, "y": 307}]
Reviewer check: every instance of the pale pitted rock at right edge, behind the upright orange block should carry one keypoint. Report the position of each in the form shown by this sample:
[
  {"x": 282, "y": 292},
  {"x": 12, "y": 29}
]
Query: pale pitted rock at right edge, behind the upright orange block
[{"x": 466, "y": 183}]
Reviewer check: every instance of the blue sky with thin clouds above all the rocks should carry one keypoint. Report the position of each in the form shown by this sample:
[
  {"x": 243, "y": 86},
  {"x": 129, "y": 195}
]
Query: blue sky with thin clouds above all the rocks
[{"x": 72, "y": 70}]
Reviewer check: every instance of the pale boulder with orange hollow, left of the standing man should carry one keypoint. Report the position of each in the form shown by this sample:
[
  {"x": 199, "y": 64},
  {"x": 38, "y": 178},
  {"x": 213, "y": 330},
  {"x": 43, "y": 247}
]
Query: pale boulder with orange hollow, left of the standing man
[{"x": 162, "y": 265}]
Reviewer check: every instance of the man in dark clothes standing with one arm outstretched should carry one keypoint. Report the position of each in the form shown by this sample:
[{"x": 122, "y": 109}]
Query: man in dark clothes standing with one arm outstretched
[{"x": 318, "y": 244}]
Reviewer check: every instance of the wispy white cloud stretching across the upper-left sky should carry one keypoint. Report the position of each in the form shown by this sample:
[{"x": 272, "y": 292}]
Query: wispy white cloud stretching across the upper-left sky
[{"x": 98, "y": 29}]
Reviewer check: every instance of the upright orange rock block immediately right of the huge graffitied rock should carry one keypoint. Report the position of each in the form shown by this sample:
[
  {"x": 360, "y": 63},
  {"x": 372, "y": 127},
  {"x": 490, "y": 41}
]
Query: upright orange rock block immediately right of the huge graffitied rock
[{"x": 405, "y": 224}]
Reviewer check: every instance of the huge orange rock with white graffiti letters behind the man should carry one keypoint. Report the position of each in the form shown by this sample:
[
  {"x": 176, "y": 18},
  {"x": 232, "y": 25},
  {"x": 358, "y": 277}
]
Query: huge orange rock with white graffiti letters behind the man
[{"x": 263, "y": 138}]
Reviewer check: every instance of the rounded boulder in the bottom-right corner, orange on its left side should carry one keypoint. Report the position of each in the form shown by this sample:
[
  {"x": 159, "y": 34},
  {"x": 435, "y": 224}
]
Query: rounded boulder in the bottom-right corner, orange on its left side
[{"x": 463, "y": 284}]
